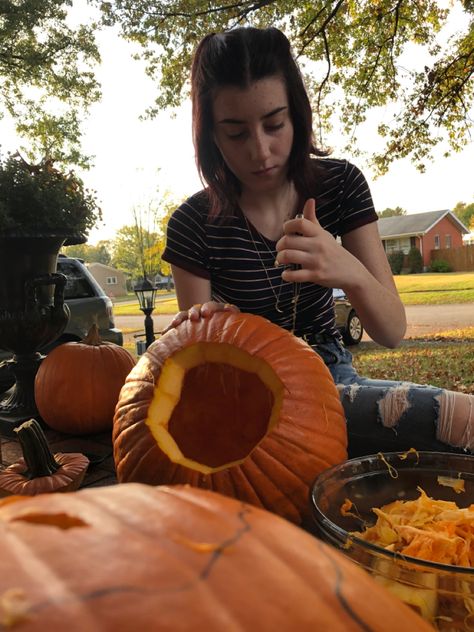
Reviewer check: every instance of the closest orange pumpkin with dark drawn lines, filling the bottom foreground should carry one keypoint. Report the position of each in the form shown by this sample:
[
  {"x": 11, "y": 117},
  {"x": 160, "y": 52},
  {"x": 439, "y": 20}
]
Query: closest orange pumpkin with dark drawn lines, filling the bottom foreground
[{"x": 136, "y": 557}]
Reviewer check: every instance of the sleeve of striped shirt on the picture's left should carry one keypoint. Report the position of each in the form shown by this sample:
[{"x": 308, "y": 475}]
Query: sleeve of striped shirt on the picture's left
[{"x": 186, "y": 245}]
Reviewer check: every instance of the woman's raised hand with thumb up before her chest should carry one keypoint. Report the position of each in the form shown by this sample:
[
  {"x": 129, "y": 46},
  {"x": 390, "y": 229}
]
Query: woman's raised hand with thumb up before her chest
[{"x": 319, "y": 257}]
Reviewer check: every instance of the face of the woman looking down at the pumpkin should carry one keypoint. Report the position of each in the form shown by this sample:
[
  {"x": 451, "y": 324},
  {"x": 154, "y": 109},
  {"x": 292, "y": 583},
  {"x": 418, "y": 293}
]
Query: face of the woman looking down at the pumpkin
[{"x": 254, "y": 132}]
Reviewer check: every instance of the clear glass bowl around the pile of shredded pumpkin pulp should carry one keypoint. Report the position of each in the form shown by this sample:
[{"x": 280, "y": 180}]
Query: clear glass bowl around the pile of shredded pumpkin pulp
[{"x": 441, "y": 593}]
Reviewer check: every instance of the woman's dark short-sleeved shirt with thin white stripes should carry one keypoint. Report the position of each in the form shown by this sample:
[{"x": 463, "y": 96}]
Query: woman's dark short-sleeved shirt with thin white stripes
[{"x": 225, "y": 253}]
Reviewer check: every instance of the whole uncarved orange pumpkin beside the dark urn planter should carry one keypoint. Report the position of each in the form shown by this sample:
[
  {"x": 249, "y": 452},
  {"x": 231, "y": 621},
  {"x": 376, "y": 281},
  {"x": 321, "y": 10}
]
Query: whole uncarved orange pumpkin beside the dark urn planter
[{"x": 78, "y": 383}]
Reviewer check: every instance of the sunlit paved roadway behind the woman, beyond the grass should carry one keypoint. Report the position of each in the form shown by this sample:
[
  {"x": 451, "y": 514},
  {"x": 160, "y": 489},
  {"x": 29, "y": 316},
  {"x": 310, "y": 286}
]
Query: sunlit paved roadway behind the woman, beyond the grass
[{"x": 422, "y": 319}]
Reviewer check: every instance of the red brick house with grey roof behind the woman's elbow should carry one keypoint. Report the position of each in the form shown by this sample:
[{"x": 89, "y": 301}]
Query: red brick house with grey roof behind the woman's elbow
[{"x": 426, "y": 231}]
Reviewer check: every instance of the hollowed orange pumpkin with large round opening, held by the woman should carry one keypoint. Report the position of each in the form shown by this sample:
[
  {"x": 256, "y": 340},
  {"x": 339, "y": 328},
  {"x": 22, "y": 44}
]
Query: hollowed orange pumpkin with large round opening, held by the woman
[{"x": 235, "y": 404}]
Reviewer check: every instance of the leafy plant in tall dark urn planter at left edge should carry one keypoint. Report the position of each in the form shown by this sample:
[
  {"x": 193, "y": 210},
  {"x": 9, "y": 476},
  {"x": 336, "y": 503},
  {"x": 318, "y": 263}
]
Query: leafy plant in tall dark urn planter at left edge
[{"x": 41, "y": 208}]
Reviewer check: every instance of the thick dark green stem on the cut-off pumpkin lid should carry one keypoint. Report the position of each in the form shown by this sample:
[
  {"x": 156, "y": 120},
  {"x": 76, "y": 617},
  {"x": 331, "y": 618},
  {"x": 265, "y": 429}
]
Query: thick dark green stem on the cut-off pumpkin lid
[{"x": 38, "y": 457}]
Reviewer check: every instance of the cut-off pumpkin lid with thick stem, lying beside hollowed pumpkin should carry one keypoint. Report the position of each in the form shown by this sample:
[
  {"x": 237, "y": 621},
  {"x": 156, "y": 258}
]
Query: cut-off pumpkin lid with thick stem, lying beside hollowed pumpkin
[{"x": 39, "y": 471}]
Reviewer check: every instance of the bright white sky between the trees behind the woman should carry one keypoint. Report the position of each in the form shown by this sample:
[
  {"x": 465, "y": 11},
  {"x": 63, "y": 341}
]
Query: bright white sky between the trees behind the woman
[{"x": 136, "y": 161}]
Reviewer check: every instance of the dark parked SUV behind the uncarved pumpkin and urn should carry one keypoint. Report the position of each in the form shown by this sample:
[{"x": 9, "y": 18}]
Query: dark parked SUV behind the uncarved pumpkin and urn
[{"x": 87, "y": 303}]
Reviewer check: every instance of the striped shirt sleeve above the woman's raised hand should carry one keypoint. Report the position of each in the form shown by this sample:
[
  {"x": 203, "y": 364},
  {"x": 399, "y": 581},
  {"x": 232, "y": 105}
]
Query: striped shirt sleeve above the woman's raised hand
[{"x": 357, "y": 207}]
